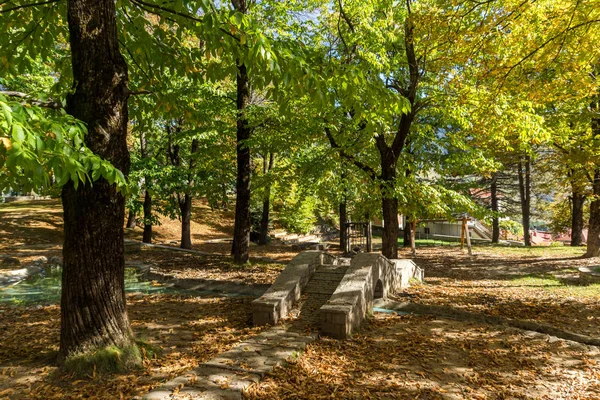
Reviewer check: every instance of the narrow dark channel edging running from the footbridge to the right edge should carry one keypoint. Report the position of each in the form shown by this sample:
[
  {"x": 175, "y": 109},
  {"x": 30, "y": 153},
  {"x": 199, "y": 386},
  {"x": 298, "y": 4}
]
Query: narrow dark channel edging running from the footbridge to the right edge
[{"x": 461, "y": 315}]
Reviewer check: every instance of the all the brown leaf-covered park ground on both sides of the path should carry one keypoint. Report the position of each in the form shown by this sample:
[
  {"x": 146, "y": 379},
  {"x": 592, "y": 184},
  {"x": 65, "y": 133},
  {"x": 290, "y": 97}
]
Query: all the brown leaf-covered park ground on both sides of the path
[{"x": 393, "y": 357}]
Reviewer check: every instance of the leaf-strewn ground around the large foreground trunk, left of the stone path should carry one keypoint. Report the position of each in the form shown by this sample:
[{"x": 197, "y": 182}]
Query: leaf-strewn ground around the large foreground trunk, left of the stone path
[{"x": 184, "y": 330}]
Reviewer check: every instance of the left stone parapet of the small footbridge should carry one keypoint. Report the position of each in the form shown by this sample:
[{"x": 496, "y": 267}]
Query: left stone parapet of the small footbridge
[{"x": 279, "y": 299}]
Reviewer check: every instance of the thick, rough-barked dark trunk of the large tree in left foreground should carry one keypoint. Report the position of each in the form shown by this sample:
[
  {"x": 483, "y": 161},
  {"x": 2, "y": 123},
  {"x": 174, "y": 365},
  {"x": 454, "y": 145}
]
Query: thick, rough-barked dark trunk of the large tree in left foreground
[{"x": 93, "y": 311}]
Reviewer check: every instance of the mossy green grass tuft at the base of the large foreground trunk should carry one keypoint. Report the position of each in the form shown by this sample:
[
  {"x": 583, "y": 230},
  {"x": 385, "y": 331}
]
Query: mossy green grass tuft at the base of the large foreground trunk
[{"x": 111, "y": 359}]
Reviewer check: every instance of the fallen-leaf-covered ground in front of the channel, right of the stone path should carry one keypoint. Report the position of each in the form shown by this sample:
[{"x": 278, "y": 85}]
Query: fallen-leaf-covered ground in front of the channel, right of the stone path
[{"x": 404, "y": 357}]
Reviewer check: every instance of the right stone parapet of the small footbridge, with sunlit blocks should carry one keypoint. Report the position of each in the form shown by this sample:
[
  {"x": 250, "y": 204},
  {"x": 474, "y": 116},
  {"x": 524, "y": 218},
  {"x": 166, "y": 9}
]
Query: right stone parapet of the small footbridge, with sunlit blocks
[{"x": 369, "y": 274}]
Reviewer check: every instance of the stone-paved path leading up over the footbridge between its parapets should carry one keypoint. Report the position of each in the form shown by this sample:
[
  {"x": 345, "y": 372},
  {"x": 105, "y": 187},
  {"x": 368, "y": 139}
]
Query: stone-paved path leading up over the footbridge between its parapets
[{"x": 229, "y": 373}]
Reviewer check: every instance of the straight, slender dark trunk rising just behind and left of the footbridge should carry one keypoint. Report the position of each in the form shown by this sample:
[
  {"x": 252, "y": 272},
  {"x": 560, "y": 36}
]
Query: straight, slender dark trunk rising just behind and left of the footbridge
[{"x": 241, "y": 229}]
